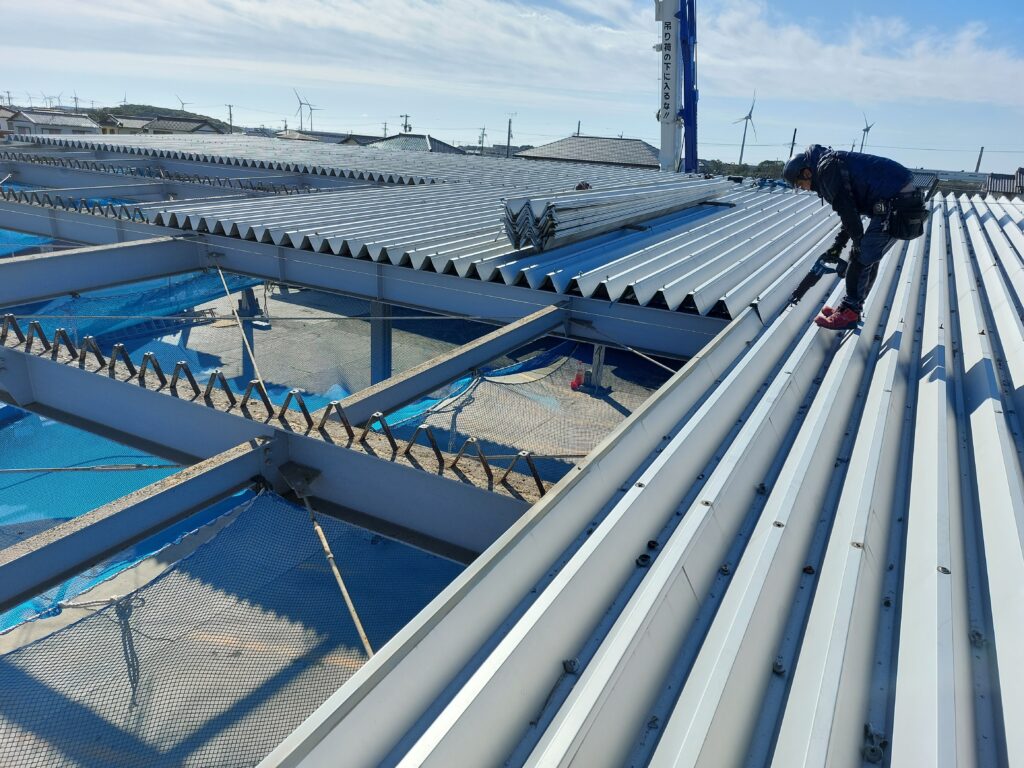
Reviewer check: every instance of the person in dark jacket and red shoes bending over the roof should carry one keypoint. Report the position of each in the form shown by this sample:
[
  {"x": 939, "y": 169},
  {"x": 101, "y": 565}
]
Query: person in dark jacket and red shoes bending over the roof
[{"x": 858, "y": 185}]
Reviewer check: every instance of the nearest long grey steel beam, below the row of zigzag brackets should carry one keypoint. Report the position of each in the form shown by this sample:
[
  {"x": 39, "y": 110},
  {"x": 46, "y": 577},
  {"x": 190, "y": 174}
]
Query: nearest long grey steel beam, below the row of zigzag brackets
[{"x": 460, "y": 516}]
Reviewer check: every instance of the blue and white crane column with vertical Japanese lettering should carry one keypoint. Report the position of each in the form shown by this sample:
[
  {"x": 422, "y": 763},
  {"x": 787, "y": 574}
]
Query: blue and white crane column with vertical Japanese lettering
[{"x": 678, "y": 112}]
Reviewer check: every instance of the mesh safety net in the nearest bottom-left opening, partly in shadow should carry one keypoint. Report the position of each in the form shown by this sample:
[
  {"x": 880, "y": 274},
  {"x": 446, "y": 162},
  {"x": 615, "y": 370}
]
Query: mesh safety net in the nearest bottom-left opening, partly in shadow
[{"x": 218, "y": 660}]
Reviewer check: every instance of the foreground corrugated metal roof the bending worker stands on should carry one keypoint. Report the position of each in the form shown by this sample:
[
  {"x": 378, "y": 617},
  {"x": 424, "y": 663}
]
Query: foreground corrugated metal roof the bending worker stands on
[{"x": 821, "y": 563}]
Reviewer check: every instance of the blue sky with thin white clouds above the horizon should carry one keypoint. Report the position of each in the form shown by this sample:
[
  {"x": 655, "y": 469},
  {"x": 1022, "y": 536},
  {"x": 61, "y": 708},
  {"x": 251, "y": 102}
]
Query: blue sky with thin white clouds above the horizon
[{"x": 938, "y": 80}]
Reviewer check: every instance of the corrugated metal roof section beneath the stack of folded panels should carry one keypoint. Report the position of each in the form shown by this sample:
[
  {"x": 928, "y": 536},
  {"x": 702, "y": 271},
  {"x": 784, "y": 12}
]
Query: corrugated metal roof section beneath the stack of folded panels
[{"x": 707, "y": 261}]
